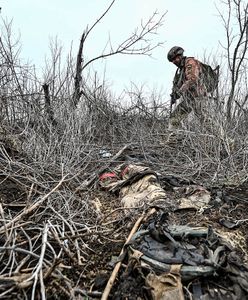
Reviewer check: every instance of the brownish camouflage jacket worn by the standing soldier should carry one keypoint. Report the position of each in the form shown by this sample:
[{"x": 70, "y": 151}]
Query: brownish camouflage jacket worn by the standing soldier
[{"x": 187, "y": 80}]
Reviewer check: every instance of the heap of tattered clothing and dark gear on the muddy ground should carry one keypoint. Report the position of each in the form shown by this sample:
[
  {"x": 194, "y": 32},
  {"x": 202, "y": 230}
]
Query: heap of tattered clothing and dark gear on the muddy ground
[{"x": 186, "y": 249}]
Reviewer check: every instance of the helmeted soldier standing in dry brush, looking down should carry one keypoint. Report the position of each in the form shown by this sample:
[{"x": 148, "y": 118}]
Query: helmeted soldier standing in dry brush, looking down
[{"x": 189, "y": 88}]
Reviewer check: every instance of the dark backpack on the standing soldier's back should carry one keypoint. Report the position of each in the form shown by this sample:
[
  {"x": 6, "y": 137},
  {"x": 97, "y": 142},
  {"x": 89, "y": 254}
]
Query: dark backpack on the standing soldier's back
[{"x": 210, "y": 77}]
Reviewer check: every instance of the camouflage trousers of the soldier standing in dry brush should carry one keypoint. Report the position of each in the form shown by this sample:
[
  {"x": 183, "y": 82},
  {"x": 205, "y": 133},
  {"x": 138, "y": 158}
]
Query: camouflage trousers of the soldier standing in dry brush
[{"x": 198, "y": 105}]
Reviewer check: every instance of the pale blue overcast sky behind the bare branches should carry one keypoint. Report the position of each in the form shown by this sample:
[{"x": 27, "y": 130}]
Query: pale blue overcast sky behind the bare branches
[{"x": 192, "y": 24}]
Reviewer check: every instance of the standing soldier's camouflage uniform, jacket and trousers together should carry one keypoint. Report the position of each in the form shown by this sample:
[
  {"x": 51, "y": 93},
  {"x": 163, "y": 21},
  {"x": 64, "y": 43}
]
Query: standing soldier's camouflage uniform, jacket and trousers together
[{"x": 189, "y": 89}]
